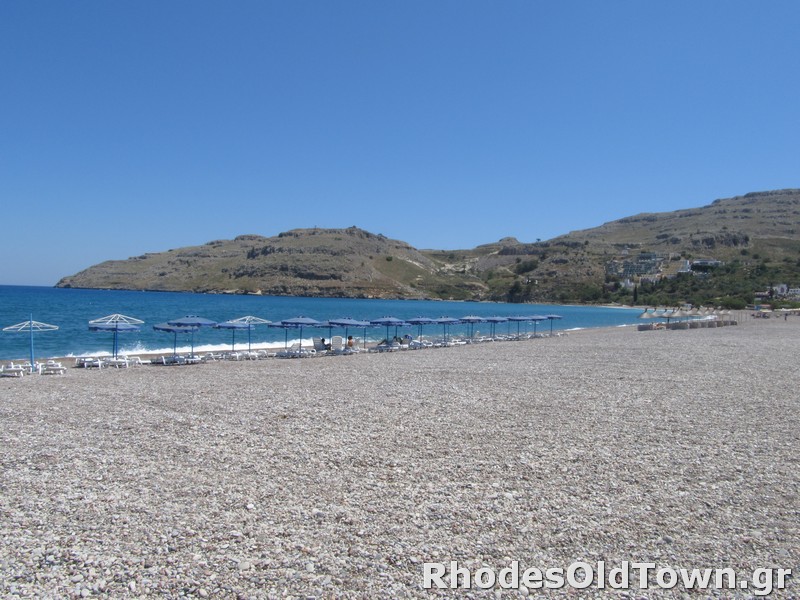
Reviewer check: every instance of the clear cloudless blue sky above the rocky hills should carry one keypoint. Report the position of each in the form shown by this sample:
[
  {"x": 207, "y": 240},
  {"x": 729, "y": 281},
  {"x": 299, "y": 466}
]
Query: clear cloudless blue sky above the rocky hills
[{"x": 135, "y": 126}]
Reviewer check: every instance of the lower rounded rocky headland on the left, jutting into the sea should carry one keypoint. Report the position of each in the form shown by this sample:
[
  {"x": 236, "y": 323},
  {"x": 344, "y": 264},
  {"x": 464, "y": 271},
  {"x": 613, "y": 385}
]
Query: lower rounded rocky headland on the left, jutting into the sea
[{"x": 303, "y": 262}]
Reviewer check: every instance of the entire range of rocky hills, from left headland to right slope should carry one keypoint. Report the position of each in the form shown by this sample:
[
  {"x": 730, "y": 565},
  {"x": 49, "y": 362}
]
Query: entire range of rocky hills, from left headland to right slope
[{"x": 758, "y": 232}]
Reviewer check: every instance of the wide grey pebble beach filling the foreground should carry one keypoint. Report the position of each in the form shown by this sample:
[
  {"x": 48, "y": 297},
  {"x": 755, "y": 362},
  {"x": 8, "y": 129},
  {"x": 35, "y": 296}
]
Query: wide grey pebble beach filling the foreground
[{"x": 339, "y": 477}]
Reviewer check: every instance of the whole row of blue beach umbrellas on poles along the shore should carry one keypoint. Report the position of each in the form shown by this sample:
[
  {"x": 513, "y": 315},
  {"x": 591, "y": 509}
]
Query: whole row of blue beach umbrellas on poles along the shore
[{"x": 118, "y": 323}]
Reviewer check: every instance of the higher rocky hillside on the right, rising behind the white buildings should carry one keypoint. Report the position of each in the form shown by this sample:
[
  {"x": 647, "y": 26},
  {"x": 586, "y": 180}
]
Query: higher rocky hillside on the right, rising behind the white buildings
[{"x": 755, "y": 231}]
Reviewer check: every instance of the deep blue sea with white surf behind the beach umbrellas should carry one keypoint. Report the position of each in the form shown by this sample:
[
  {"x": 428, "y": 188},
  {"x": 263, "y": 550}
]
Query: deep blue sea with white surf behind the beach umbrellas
[{"x": 72, "y": 309}]
